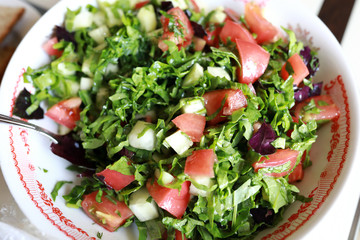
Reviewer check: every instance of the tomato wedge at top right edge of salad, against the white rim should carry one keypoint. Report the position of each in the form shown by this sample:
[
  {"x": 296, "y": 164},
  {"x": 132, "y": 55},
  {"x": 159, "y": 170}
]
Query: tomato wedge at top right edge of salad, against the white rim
[{"x": 265, "y": 31}]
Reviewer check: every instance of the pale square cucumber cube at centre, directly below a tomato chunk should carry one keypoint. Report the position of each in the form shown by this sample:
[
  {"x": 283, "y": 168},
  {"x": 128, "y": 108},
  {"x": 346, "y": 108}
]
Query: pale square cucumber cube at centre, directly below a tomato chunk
[{"x": 178, "y": 141}]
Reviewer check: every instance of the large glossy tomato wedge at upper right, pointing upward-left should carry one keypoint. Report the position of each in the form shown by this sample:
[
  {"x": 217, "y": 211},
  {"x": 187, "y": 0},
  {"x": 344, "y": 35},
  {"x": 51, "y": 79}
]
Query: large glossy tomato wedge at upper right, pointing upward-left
[{"x": 254, "y": 61}]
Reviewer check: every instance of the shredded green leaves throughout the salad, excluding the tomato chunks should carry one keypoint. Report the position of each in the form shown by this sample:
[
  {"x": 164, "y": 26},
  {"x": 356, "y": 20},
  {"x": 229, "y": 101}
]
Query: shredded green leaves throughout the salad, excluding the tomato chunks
[{"x": 133, "y": 79}]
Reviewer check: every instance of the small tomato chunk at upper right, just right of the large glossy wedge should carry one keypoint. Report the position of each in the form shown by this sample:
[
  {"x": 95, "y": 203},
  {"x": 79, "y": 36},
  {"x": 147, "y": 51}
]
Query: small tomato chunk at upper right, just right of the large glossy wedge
[{"x": 299, "y": 68}]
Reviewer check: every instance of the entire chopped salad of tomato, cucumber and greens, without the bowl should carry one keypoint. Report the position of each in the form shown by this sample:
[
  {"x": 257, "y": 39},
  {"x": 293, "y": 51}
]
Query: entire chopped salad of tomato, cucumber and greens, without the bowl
[{"x": 193, "y": 124}]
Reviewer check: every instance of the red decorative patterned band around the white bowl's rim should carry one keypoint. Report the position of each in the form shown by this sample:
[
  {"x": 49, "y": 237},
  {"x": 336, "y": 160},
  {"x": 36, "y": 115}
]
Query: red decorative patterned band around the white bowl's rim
[{"x": 336, "y": 157}]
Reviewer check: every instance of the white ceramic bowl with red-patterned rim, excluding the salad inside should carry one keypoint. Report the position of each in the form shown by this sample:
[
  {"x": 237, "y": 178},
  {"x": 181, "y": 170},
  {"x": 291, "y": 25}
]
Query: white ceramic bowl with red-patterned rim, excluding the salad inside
[{"x": 27, "y": 154}]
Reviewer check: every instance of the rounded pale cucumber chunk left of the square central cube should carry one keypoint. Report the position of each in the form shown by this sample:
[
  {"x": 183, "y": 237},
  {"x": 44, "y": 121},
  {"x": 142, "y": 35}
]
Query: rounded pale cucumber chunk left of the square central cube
[{"x": 142, "y": 136}]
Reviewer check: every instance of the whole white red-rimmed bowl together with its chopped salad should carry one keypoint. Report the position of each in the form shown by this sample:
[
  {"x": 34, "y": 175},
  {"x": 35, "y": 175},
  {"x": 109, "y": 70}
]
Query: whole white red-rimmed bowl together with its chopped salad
[{"x": 178, "y": 120}]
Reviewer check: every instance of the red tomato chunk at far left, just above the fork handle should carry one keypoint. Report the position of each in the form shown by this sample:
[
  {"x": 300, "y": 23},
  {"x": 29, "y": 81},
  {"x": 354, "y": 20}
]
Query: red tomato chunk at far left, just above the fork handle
[{"x": 66, "y": 112}]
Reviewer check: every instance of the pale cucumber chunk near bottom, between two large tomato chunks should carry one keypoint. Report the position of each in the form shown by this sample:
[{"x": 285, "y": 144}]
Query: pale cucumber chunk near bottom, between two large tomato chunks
[{"x": 143, "y": 209}]
